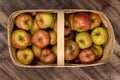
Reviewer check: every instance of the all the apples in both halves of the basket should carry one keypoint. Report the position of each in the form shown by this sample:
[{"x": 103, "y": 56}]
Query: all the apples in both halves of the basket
[{"x": 35, "y": 37}]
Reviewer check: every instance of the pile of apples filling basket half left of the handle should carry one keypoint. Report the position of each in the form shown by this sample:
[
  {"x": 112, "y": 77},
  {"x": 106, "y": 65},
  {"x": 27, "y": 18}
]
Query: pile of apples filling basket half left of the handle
[{"x": 35, "y": 37}]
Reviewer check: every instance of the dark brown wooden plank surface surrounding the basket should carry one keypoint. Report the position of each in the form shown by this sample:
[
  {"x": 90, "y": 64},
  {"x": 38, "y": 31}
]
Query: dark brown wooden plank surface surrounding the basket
[{"x": 109, "y": 71}]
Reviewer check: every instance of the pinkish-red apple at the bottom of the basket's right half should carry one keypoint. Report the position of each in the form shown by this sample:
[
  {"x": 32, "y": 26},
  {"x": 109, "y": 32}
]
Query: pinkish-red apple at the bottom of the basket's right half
[{"x": 87, "y": 56}]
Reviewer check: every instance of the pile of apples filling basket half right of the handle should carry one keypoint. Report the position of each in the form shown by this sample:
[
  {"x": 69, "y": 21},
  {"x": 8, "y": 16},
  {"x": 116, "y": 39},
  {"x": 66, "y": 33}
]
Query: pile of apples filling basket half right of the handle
[{"x": 85, "y": 37}]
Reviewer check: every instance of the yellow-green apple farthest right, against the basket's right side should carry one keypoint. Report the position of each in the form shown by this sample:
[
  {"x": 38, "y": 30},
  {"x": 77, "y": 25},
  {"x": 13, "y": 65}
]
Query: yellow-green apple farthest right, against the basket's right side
[{"x": 99, "y": 35}]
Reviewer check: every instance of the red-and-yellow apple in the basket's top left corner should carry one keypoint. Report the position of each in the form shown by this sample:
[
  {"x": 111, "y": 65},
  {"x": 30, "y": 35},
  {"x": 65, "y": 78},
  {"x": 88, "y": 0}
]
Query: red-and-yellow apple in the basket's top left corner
[{"x": 24, "y": 21}]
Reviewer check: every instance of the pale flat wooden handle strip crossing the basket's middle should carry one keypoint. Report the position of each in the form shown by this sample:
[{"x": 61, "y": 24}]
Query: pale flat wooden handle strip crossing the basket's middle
[{"x": 60, "y": 38}]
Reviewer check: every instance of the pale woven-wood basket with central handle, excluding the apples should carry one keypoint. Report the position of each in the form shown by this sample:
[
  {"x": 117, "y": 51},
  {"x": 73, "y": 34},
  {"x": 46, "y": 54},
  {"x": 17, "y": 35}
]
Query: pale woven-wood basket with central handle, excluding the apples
[{"x": 108, "y": 47}]
